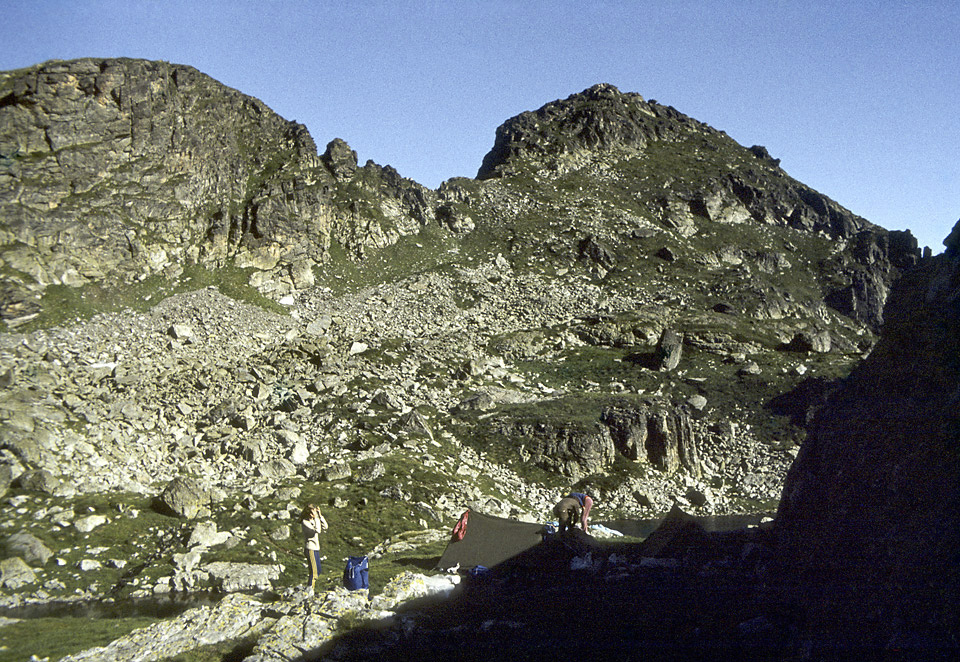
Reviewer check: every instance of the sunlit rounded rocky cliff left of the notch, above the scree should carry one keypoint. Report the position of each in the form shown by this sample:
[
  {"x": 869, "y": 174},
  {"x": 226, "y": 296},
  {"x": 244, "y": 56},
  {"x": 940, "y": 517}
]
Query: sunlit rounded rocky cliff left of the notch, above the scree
[{"x": 126, "y": 167}]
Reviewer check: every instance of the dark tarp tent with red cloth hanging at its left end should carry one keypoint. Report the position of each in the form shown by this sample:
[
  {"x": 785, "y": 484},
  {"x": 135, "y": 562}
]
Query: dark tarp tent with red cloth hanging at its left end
[{"x": 489, "y": 540}]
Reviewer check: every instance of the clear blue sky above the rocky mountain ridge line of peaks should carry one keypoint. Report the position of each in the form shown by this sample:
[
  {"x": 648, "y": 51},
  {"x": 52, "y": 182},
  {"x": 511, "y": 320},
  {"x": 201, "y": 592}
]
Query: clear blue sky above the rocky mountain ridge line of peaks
[{"x": 859, "y": 98}]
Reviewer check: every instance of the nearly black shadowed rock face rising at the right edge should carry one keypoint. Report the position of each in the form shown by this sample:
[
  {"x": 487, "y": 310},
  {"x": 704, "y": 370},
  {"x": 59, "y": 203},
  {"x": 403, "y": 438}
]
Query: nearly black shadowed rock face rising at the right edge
[{"x": 873, "y": 500}]
